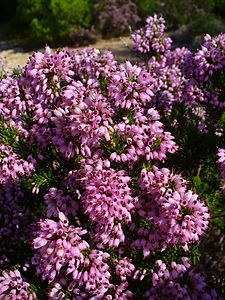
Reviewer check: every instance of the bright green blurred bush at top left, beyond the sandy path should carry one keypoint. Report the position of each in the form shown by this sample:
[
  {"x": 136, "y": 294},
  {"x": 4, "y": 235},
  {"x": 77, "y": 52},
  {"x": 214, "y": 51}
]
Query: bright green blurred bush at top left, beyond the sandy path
[{"x": 44, "y": 21}]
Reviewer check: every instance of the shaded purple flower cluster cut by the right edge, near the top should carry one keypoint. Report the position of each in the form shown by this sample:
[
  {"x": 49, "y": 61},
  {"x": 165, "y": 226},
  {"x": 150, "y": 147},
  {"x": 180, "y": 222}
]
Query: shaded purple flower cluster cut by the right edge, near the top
[{"x": 204, "y": 71}]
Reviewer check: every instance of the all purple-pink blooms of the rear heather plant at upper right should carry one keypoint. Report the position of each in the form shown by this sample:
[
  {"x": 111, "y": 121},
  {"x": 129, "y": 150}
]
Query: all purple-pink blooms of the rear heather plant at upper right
[{"x": 195, "y": 79}]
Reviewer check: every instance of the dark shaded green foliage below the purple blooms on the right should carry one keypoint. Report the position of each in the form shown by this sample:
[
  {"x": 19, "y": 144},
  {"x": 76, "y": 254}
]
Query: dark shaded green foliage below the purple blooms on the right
[{"x": 197, "y": 157}]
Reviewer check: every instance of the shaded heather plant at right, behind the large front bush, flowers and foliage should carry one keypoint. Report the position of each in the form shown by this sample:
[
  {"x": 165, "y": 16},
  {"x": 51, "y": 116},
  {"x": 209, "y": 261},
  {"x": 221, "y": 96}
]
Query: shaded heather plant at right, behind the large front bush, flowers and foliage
[{"x": 189, "y": 93}]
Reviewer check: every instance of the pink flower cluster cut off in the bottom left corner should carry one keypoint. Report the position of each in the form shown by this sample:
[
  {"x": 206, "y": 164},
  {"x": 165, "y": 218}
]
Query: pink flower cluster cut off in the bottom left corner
[{"x": 14, "y": 287}]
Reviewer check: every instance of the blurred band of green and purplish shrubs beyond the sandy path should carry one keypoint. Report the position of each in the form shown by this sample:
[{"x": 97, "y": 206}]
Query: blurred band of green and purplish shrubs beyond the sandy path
[{"x": 77, "y": 22}]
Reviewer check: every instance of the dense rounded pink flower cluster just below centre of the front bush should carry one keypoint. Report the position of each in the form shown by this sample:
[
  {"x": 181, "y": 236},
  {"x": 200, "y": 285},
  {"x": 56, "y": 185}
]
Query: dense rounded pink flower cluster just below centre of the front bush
[{"x": 108, "y": 189}]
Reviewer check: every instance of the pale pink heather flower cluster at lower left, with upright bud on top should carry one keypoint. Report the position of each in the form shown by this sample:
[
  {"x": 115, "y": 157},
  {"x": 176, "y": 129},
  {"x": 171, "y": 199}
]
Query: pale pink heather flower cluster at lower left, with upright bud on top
[{"x": 58, "y": 245}]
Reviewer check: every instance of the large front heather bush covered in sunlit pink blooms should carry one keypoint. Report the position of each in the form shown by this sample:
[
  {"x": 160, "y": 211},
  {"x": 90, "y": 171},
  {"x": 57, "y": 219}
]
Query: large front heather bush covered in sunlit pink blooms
[{"x": 84, "y": 157}]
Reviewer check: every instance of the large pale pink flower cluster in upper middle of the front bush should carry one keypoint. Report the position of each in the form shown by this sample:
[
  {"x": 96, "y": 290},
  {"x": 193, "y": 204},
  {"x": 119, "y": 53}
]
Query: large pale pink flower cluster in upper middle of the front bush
[{"x": 84, "y": 116}]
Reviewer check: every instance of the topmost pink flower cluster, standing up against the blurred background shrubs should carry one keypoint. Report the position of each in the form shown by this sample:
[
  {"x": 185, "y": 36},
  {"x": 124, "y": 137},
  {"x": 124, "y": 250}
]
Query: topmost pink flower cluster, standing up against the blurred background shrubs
[{"x": 152, "y": 38}]
